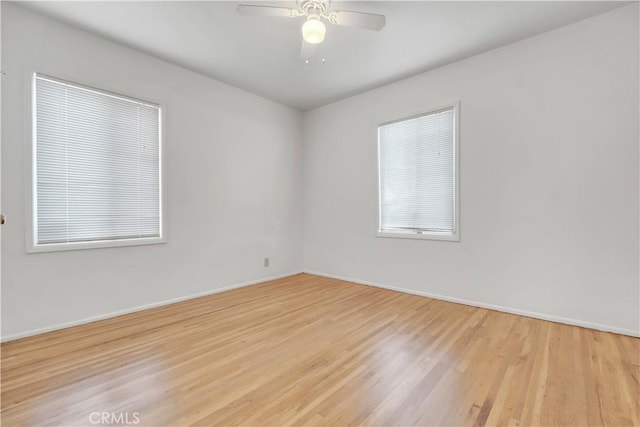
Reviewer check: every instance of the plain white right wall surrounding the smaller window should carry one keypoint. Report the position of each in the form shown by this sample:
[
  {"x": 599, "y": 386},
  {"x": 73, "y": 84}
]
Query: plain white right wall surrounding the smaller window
[{"x": 549, "y": 179}]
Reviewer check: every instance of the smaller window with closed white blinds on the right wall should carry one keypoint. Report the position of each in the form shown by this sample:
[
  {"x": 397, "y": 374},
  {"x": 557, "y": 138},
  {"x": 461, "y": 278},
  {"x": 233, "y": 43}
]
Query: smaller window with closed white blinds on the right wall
[{"x": 418, "y": 176}]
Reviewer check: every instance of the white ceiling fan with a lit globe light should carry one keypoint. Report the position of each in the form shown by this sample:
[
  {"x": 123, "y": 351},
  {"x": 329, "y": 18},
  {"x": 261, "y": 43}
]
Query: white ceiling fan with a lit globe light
[{"x": 315, "y": 11}]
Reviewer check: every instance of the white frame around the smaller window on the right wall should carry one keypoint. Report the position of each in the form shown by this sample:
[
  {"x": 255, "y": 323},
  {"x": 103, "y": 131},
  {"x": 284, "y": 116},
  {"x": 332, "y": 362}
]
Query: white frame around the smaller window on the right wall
[{"x": 425, "y": 235}]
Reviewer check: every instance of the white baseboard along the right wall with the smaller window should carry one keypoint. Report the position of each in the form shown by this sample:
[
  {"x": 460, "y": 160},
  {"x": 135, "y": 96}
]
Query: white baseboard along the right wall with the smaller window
[{"x": 526, "y": 313}]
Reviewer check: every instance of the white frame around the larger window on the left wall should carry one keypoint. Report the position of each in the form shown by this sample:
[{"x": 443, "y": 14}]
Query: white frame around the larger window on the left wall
[{"x": 31, "y": 246}]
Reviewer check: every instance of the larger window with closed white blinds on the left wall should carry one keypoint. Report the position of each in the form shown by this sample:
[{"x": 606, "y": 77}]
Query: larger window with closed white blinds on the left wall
[{"x": 96, "y": 168}]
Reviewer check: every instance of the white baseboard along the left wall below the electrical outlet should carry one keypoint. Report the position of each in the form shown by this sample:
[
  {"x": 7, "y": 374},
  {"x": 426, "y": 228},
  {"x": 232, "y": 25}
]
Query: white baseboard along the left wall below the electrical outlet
[{"x": 92, "y": 319}]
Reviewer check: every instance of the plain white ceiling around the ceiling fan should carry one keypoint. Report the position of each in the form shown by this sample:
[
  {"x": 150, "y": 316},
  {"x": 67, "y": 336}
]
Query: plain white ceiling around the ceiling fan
[{"x": 261, "y": 54}]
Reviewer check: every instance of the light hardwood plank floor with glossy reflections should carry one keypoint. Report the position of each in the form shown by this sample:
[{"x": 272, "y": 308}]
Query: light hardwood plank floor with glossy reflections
[{"x": 307, "y": 350}]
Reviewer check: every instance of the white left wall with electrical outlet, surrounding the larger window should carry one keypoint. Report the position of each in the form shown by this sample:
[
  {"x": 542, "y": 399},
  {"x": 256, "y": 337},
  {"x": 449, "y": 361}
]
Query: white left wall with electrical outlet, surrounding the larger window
[{"x": 233, "y": 167}]
